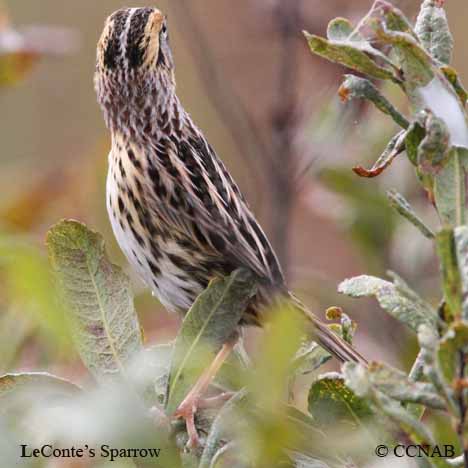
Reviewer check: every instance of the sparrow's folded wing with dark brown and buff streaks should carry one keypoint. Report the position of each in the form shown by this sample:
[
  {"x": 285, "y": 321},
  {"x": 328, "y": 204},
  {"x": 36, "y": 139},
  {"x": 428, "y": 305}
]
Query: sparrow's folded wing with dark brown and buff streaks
[{"x": 195, "y": 195}]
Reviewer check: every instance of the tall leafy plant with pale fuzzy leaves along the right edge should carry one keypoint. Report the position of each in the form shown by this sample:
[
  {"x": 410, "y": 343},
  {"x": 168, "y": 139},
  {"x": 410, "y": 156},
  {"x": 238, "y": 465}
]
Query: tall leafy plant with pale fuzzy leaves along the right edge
[{"x": 434, "y": 139}]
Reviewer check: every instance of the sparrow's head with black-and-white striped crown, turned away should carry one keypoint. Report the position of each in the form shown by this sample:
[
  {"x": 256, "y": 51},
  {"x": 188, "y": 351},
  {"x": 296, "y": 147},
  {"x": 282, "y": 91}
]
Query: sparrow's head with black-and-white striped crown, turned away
[{"x": 134, "y": 61}]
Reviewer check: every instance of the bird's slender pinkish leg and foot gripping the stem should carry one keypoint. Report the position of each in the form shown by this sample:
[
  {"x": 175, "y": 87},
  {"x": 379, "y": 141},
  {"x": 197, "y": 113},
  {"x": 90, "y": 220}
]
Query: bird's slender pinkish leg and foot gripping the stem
[{"x": 193, "y": 400}]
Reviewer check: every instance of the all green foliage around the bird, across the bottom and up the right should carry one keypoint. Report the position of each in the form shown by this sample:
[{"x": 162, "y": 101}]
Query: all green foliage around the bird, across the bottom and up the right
[{"x": 138, "y": 386}]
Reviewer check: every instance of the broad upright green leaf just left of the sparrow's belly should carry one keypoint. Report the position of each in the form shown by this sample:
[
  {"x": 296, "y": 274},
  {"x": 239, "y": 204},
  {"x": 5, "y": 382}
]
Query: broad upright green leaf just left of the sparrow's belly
[{"x": 99, "y": 299}]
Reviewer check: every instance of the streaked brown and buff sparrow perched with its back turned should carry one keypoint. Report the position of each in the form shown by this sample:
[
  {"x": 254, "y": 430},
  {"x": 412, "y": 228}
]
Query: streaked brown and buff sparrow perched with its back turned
[{"x": 176, "y": 211}]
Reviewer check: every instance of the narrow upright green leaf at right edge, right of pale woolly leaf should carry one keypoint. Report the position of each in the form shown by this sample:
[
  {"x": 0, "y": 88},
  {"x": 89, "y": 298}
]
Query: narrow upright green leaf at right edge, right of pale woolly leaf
[{"x": 451, "y": 280}]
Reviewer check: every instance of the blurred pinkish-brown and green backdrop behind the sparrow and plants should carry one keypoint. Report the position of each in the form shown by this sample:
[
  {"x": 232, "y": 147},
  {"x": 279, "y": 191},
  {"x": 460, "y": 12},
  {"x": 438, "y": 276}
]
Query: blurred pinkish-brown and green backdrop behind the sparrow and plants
[{"x": 270, "y": 110}]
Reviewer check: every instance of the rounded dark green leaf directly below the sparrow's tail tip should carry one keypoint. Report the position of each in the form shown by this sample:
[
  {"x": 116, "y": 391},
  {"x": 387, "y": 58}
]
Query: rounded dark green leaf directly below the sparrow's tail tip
[{"x": 331, "y": 403}]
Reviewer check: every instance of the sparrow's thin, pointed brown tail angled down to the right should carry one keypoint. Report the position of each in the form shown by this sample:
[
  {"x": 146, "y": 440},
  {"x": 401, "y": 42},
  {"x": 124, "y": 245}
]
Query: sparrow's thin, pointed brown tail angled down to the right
[{"x": 329, "y": 340}]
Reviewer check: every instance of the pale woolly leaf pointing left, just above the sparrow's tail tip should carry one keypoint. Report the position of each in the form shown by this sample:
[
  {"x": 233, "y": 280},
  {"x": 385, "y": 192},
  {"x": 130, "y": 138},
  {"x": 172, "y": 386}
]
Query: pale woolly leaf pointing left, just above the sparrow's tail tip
[{"x": 409, "y": 309}]
